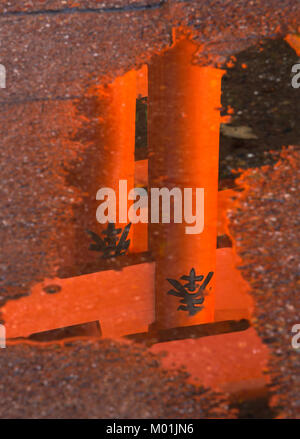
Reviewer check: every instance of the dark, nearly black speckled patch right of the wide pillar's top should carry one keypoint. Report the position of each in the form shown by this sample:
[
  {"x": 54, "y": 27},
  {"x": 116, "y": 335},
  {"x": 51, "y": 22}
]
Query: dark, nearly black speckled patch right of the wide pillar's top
[{"x": 258, "y": 88}]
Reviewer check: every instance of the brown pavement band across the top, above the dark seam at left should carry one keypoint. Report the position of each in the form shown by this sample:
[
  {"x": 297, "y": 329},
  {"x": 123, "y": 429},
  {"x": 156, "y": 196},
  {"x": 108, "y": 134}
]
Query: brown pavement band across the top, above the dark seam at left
[{"x": 56, "y": 49}]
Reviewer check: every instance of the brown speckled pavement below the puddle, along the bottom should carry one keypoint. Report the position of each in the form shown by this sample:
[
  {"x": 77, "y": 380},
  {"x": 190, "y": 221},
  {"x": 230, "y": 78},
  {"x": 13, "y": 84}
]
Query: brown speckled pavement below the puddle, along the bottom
[{"x": 105, "y": 379}]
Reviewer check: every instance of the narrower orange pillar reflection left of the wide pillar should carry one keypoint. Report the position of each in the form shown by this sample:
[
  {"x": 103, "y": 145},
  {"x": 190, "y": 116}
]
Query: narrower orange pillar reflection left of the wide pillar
[{"x": 116, "y": 140}]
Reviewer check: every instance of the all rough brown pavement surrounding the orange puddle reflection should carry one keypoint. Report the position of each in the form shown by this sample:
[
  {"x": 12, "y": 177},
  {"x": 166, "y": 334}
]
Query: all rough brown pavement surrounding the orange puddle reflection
[{"x": 53, "y": 54}]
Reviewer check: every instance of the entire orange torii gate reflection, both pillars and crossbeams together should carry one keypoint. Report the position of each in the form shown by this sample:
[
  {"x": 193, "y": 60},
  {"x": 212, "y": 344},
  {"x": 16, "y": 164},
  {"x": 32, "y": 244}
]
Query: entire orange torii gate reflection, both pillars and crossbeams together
[{"x": 183, "y": 142}]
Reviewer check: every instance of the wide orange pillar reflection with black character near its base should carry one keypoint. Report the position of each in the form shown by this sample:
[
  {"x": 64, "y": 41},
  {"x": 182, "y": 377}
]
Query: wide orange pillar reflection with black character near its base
[{"x": 184, "y": 120}]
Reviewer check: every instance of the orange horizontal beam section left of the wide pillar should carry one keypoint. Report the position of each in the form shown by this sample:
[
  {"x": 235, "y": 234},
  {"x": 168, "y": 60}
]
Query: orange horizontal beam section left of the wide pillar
[{"x": 123, "y": 302}]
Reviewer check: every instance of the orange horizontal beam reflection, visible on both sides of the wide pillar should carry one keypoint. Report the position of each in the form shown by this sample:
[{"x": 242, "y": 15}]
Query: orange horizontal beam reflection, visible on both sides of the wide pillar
[{"x": 123, "y": 301}]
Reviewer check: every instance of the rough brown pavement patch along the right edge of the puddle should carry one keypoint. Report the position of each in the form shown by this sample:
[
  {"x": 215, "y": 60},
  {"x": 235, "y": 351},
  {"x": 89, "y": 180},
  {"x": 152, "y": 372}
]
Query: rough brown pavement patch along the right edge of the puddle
[{"x": 266, "y": 232}]
